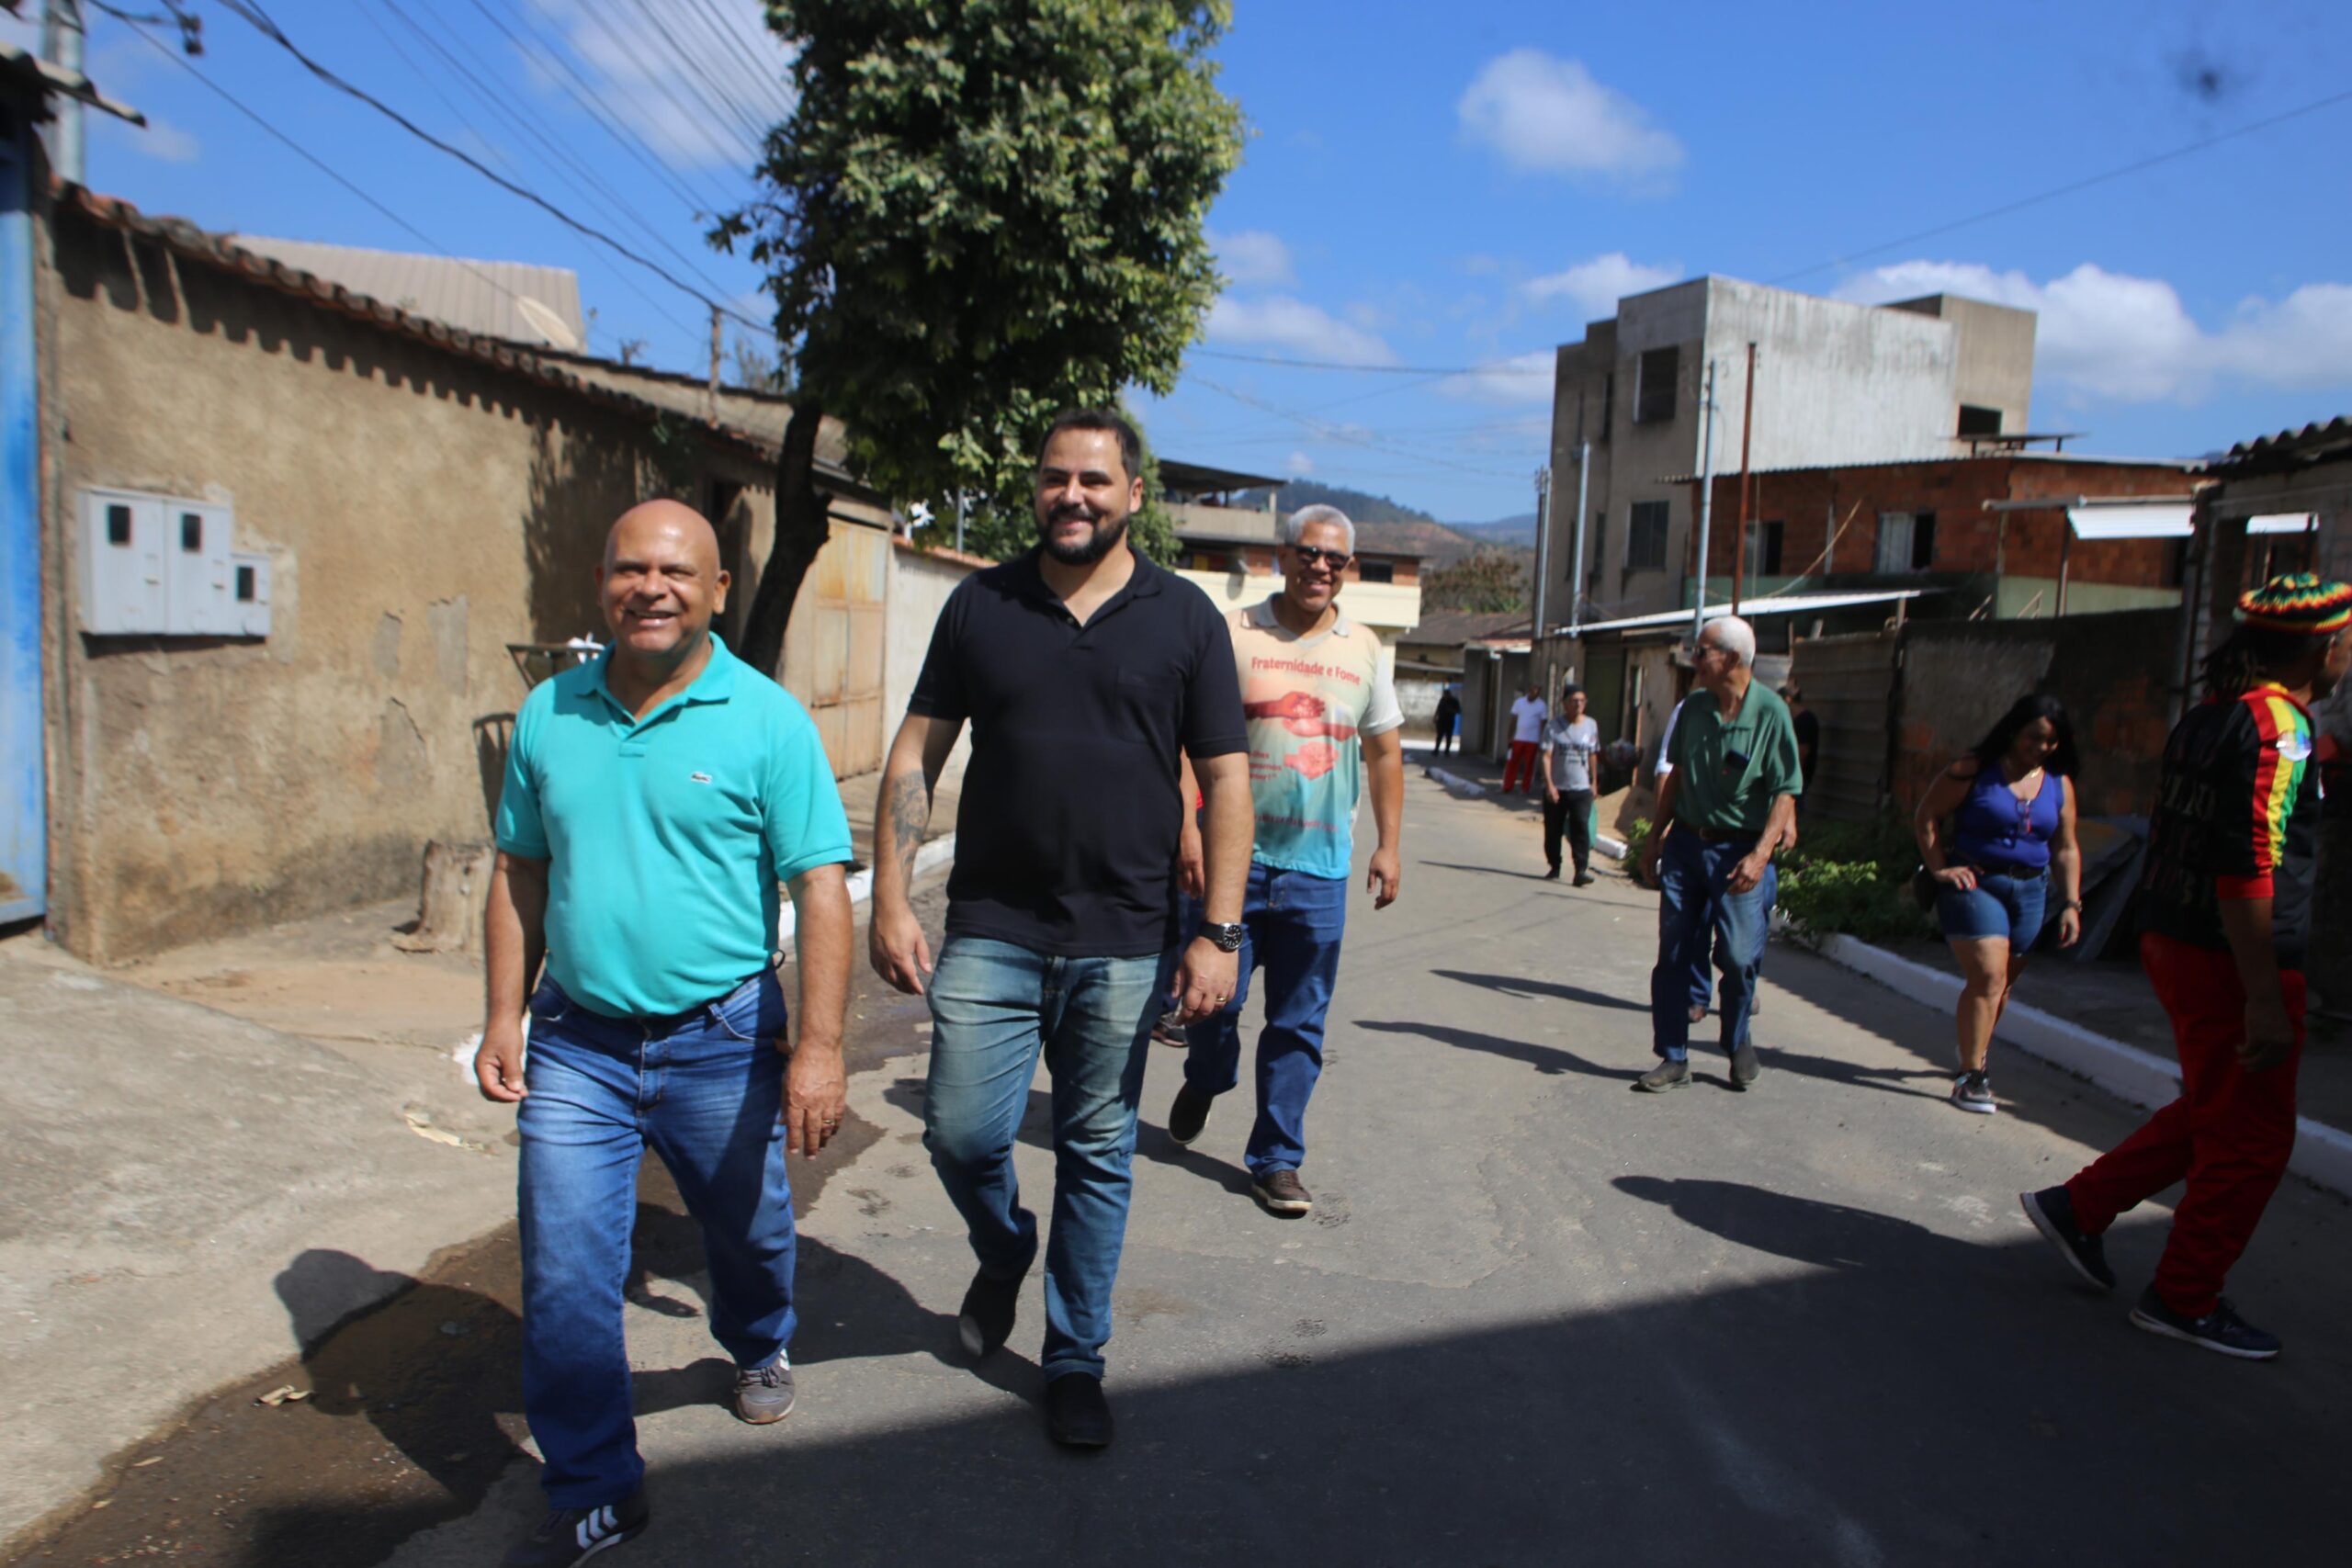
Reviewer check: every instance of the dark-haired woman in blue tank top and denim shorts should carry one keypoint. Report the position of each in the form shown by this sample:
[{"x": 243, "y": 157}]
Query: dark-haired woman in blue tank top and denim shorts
[{"x": 2012, "y": 805}]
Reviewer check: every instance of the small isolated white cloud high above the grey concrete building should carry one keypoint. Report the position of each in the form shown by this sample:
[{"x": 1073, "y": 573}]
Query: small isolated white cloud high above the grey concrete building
[{"x": 1549, "y": 116}]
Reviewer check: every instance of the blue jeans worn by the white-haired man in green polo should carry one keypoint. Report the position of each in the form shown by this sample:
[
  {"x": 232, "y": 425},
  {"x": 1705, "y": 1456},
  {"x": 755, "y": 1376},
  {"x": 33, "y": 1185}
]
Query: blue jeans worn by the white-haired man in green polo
[{"x": 1695, "y": 913}]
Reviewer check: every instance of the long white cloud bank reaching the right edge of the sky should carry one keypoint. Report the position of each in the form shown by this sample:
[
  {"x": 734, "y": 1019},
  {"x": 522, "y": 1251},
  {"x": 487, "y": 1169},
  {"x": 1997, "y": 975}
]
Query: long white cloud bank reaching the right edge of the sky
[{"x": 2132, "y": 340}]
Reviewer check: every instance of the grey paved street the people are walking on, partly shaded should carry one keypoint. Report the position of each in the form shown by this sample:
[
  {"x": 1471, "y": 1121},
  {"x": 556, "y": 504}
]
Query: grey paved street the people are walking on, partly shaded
[{"x": 1535, "y": 1318}]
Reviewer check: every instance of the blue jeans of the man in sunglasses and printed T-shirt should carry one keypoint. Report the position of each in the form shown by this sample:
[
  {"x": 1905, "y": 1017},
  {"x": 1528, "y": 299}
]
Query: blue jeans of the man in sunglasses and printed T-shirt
[{"x": 1290, "y": 927}]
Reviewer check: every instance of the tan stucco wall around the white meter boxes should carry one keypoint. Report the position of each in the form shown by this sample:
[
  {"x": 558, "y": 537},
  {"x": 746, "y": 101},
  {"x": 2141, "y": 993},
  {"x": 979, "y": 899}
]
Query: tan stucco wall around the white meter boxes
[{"x": 420, "y": 511}]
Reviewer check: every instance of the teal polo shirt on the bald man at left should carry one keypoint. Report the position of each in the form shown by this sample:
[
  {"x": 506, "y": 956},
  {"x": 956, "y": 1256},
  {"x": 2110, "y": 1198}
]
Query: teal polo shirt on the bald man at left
[{"x": 667, "y": 836}]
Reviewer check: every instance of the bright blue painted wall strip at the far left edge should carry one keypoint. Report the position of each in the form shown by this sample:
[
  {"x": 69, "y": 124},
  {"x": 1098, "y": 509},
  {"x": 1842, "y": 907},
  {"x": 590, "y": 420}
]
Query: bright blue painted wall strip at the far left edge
[{"x": 25, "y": 847}]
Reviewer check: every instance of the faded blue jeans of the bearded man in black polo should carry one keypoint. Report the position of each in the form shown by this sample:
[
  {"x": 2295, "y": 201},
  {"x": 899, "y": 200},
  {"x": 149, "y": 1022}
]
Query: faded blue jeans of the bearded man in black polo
[{"x": 998, "y": 1007}]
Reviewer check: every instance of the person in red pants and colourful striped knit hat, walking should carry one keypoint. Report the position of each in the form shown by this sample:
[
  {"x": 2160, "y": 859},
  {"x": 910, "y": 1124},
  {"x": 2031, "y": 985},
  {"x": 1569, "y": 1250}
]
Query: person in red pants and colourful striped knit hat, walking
[{"x": 2226, "y": 911}]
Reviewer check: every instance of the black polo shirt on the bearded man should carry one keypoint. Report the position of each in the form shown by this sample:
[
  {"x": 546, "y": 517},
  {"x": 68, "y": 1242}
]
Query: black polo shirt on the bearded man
[{"x": 1067, "y": 833}]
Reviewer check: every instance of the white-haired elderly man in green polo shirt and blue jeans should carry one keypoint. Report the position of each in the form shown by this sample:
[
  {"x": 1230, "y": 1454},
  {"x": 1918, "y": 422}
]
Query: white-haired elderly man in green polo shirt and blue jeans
[{"x": 1728, "y": 805}]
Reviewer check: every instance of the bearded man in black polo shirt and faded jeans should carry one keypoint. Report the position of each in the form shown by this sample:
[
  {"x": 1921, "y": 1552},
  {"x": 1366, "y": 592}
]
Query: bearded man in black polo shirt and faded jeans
[{"x": 1083, "y": 671}]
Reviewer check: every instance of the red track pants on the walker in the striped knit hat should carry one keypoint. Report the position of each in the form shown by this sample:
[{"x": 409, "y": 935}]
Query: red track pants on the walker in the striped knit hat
[{"x": 2229, "y": 1134}]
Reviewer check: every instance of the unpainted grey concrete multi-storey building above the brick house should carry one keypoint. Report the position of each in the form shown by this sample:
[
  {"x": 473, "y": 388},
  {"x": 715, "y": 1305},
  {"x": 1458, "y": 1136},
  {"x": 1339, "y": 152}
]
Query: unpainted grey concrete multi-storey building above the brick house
[{"x": 1833, "y": 384}]
